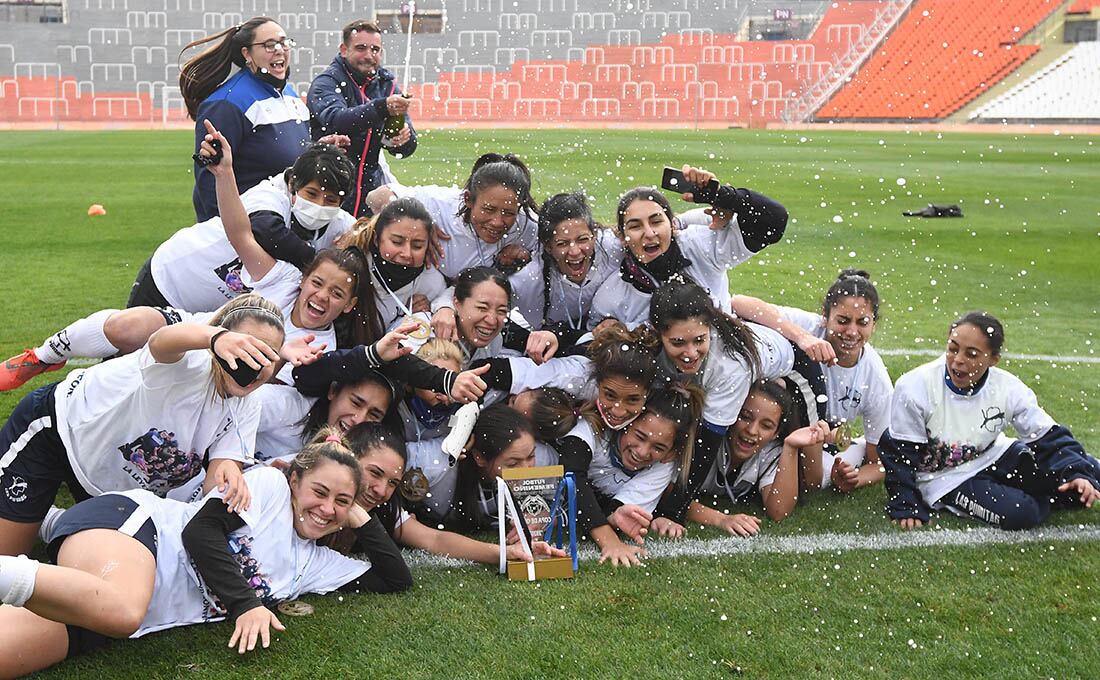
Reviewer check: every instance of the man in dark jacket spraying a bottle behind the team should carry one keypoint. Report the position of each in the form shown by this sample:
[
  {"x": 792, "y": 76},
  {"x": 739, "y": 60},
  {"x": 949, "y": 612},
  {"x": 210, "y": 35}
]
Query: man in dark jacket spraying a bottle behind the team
[{"x": 355, "y": 96}]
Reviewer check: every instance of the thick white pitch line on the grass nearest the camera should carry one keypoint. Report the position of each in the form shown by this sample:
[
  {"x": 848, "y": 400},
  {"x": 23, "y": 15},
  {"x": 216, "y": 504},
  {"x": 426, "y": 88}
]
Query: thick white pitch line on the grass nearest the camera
[{"x": 822, "y": 543}]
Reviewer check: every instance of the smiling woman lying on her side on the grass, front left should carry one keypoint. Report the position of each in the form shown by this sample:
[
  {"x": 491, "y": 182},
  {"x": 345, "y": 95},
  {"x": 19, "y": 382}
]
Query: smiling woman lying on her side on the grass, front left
[{"x": 131, "y": 564}]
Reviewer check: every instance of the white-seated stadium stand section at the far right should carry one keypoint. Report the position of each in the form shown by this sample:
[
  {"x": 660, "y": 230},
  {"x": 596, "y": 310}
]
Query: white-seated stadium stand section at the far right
[{"x": 1066, "y": 91}]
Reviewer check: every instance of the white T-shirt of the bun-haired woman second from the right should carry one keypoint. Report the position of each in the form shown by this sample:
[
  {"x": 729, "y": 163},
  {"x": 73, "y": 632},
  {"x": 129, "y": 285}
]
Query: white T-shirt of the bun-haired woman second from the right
[{"x": 862, "y": 391}]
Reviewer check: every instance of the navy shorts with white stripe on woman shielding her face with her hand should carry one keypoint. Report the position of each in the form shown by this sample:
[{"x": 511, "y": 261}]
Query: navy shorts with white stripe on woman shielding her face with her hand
[{"x": 34, "y": 462}]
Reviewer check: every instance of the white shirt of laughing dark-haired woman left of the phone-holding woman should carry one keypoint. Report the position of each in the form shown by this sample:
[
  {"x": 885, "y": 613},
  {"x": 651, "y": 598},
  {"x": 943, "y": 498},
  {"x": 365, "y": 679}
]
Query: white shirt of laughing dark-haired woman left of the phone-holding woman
[{"x": 570, "y": 303}]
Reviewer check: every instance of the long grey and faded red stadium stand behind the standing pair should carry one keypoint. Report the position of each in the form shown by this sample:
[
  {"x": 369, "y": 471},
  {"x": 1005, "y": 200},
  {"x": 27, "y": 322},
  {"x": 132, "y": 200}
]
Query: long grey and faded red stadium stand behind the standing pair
[{"x": 551, "y": 61}]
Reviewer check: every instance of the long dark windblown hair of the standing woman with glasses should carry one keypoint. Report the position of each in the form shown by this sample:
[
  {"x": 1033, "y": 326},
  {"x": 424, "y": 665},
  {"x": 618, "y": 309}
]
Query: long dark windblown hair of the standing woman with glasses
[{"x": 204, "y": 73}]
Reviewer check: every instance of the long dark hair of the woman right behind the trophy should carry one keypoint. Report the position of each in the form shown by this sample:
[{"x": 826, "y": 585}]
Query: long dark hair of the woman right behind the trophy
[{"x": 499, "y": 427}]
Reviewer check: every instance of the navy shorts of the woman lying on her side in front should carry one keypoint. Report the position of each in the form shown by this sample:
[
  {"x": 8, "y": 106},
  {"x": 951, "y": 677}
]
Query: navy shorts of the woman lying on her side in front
[{"x": 106, "y": 512}]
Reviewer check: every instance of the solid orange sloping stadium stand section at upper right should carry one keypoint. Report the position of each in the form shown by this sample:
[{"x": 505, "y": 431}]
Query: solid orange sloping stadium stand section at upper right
[{"x": 965, "y": 48}]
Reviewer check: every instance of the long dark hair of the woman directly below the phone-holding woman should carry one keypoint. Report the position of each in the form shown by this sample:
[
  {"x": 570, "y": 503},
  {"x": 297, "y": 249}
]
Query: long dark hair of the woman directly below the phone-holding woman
[{"x": 679, "y": 302}]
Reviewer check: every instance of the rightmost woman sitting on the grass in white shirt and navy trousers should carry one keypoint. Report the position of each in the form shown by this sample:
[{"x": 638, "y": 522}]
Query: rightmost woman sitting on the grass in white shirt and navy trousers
[{"x": 947, "y": 445}]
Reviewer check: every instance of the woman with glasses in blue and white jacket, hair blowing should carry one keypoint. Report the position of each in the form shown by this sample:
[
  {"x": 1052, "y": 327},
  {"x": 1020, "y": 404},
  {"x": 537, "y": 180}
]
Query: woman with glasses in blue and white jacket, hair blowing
[{"x": 259, "y": 113}]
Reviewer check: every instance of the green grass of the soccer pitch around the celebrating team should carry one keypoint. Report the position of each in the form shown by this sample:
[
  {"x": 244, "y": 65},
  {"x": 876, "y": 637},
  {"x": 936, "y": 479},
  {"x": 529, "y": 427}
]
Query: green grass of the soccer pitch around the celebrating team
[{"x": 1026, "y": 251}]
